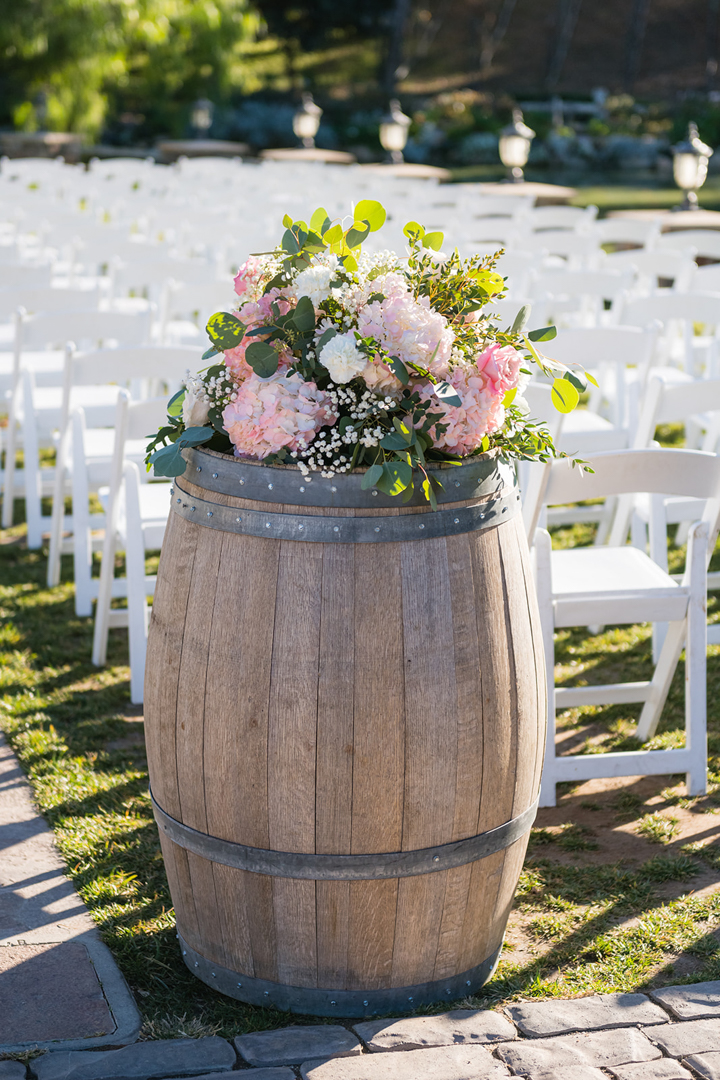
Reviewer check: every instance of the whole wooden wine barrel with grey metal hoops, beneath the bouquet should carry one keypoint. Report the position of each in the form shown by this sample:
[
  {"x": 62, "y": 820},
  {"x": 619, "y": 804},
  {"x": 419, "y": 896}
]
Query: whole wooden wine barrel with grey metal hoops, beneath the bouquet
[{"x": 345, "y": 712}]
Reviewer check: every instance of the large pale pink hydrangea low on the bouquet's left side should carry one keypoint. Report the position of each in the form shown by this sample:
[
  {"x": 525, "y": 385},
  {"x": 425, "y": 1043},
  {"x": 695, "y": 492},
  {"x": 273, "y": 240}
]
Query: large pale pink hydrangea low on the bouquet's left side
[{"x": 271, "y": 414}]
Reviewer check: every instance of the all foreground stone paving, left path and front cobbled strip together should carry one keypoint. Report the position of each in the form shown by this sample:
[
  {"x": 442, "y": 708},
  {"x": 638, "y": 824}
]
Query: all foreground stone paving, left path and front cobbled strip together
[{"x": 62, "y": 992}]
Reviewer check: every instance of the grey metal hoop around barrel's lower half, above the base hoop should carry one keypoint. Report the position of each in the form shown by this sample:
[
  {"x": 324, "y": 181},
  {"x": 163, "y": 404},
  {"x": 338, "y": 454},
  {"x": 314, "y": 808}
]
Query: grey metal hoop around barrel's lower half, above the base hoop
[{"x": 322, "y": 868}]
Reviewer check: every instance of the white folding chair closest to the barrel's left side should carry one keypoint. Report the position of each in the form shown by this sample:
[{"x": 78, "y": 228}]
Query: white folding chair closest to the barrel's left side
[{"x": 135, "y": 523}]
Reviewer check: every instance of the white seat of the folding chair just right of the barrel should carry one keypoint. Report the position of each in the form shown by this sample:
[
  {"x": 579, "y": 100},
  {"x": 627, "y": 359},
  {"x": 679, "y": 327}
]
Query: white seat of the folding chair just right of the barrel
[{"x": 613, "y": 585}]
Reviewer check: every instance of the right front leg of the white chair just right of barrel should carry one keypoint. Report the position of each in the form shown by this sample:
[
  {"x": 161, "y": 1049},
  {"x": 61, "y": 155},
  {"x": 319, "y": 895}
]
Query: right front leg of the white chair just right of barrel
[{"x": 697, "y": 664}]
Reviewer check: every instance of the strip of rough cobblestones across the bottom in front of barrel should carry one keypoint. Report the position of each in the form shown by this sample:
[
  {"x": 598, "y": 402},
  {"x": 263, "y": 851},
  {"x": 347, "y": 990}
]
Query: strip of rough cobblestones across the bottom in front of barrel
[{"x": 621, "y": 1036}]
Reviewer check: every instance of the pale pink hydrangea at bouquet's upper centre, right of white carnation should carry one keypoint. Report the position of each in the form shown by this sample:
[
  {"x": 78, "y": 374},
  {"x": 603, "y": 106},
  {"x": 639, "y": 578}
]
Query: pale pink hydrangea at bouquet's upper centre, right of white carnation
[{"x": 409, "y": 329}]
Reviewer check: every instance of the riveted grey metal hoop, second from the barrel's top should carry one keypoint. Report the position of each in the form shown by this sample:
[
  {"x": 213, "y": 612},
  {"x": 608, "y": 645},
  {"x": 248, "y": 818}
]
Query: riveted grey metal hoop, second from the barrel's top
[{"x": 320, "y": 530}]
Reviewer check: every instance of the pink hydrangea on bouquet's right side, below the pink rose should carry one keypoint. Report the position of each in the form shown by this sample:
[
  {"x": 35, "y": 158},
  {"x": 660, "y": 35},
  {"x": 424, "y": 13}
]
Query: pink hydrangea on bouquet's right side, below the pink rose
[{"x": 481, "y": 414}]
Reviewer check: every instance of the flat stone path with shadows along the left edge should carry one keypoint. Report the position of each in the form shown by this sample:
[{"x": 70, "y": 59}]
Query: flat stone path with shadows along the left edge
[{"x": 59, "y": 982}]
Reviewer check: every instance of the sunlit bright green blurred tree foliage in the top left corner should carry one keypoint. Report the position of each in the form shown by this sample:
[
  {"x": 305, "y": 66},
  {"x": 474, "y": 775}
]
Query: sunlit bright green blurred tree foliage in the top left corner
[{"x": 151, "y": 58}]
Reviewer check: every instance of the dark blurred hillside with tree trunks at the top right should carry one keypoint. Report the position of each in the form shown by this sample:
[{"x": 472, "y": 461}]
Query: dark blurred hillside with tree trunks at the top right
[{"x": 651, "y": 48}]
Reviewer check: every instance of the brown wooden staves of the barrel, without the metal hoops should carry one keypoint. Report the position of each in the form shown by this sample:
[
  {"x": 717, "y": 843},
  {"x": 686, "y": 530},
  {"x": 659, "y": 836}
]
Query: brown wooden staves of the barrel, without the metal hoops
[{"x": 339, "y": 698}]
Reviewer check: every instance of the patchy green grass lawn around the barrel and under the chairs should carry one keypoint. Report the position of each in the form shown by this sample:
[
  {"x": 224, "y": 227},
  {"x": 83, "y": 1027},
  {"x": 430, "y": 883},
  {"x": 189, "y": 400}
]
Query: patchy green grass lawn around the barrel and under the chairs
[{"x": 620, "y": 890}]
